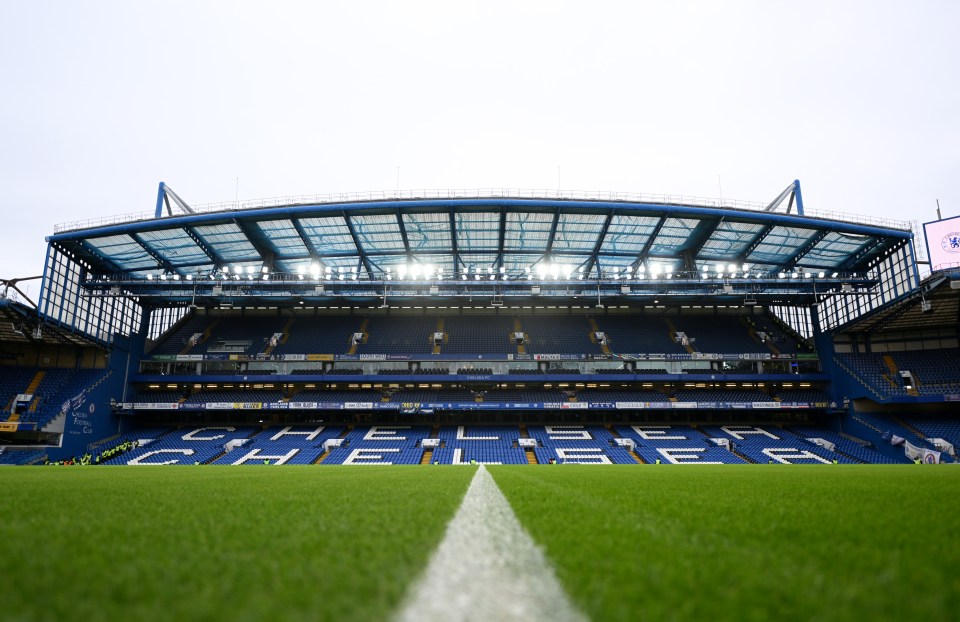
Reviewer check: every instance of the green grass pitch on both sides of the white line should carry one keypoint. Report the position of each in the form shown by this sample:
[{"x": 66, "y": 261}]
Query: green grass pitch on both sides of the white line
[{"x": 726, "y": 542}]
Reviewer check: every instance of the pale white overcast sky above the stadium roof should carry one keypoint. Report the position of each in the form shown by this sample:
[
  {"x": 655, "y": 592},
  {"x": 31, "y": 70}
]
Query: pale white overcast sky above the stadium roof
[{"x": 101, "y": 101}]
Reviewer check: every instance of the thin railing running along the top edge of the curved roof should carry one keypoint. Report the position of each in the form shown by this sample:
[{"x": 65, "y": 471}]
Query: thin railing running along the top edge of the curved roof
[{"x": 479, "y": 193}]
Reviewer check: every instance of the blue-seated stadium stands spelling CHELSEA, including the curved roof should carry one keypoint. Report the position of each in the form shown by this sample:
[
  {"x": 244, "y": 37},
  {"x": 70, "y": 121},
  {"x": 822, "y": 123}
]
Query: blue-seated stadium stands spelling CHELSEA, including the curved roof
[{"x": 497, "y": 329}]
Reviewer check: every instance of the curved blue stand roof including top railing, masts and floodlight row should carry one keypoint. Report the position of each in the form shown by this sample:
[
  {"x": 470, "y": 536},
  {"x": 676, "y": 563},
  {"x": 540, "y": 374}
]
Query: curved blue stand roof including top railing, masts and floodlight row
[{"x": 499, "y": 236}]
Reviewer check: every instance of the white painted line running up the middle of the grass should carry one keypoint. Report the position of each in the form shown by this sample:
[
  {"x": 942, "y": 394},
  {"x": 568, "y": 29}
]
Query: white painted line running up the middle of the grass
[{"x": 487, "y": 568}]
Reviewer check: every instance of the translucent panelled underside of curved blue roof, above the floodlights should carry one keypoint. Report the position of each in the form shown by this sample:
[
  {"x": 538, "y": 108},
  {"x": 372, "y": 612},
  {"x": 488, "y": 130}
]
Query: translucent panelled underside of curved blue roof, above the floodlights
[{"x": 458, "y": 233}]
